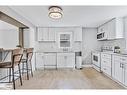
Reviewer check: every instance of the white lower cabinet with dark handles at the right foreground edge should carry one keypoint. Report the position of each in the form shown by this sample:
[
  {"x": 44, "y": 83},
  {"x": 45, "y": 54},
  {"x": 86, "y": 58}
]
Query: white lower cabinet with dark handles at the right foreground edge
[{"x": 119, "y": 68}]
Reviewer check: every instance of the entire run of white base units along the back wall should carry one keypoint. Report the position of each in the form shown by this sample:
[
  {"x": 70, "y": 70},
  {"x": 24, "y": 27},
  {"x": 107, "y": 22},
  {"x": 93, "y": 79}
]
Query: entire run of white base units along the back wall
[{"x": 55, "y": 60}]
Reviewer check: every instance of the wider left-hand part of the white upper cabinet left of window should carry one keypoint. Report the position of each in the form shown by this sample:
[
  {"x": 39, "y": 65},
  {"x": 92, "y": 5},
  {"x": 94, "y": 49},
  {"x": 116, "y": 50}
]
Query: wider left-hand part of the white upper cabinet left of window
[{"x": 43, "y": 34}]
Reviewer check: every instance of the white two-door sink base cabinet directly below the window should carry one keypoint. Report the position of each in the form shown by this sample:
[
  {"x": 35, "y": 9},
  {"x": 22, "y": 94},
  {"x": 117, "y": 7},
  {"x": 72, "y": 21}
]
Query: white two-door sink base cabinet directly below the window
[{"x": 66, "y": 60}]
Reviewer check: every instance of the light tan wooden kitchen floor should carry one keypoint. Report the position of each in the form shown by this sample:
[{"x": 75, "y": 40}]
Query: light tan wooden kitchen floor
[{"x": 87, "y": 78}]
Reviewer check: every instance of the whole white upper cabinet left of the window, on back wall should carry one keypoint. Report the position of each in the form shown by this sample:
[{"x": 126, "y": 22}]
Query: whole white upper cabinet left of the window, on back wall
[{"x": 46, "y": 34}]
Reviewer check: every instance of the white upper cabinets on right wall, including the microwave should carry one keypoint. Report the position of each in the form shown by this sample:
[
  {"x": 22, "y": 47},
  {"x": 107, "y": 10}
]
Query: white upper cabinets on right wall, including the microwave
[{"x": 113, "y": 29}]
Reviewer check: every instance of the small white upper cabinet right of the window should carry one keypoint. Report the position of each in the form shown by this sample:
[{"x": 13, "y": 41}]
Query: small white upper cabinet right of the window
[{"x": 78, "y": 34}]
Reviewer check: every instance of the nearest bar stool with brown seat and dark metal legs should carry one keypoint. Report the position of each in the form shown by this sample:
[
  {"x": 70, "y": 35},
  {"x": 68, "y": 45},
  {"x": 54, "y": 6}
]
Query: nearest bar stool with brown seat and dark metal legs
[{"x": 15, "y": 61}]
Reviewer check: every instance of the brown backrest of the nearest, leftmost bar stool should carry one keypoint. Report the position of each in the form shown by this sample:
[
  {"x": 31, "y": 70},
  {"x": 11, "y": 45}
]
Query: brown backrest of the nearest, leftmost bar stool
[{"x": 17, "y": 56}]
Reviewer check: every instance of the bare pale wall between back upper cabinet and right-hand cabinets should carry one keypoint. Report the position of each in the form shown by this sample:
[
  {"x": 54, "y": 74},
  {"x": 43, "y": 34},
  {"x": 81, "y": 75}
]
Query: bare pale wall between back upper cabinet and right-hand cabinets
[{"x": 89, "y": 44}]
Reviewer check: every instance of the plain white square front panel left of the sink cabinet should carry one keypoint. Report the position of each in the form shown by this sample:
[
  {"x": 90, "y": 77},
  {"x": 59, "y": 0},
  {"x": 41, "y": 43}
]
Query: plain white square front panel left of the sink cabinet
[{"x": 50, "y": 59}]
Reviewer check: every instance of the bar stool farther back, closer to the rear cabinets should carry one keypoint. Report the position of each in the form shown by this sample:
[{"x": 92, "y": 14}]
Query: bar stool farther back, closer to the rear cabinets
[{"x": 27, "y": 61}]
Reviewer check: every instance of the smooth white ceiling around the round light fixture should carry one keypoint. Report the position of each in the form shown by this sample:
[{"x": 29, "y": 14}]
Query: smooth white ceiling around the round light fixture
[{"x": 86, "y": 16}]
